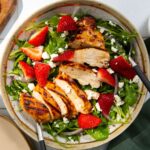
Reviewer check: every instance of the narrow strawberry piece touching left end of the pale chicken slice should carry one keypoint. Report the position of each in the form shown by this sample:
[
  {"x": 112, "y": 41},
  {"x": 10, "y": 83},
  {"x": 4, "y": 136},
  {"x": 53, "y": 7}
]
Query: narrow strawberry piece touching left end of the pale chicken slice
[{"x": 66, "y": 56}]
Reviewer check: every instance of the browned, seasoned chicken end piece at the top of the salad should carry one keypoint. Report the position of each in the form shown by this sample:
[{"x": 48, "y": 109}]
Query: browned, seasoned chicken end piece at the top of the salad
[{"x": 88, "y": 36}]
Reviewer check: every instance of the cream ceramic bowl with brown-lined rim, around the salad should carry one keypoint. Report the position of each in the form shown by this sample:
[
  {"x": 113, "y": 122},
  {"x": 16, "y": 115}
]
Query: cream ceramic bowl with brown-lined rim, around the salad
[{"x": 98, "y": 10}]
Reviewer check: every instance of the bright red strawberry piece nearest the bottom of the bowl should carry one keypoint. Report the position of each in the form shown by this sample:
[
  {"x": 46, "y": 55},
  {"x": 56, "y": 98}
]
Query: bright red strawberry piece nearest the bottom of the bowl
[{"x": 88, "y": 121}]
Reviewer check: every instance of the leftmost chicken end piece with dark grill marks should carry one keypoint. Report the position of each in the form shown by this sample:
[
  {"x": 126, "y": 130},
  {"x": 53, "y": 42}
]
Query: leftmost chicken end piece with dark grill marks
[{"x": 35, "y": 108}]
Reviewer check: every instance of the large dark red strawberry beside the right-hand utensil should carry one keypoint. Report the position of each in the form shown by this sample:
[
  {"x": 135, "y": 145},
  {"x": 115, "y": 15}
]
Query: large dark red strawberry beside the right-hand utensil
[{"x": 121, "y": 66}]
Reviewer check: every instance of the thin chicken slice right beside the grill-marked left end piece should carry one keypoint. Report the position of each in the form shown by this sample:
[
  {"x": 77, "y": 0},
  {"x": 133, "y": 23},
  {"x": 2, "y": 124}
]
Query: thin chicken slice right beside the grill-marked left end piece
[{"x": 53, "y": 112}]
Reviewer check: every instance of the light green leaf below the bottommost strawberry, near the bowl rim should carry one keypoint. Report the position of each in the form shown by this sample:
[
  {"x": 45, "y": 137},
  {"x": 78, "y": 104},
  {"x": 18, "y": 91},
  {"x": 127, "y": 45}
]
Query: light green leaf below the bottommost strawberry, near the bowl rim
[{"x": 99, "y": 133}]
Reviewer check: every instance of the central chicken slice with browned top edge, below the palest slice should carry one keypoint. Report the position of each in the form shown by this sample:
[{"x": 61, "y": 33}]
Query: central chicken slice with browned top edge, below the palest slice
[{"x": 83, "y": 74}]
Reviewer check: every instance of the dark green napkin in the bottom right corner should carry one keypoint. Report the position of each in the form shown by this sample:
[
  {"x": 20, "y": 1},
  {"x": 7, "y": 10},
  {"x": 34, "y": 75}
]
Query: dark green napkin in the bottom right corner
[{"x": 137, "y": 136}]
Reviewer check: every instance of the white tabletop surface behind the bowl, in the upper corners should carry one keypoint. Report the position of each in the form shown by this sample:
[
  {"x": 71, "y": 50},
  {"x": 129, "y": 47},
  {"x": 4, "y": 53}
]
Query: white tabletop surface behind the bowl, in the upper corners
[{"x": 137, "y": 11}]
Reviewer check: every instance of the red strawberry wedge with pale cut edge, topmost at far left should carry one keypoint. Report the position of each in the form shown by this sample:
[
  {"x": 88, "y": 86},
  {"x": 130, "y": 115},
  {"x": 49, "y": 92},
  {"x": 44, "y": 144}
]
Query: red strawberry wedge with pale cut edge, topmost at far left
[{"x": 39, "y": 37}]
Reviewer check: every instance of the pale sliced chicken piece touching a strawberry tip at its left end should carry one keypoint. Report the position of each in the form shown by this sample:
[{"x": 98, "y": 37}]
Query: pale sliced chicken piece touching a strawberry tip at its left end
[{"x": 92, "y": 56}]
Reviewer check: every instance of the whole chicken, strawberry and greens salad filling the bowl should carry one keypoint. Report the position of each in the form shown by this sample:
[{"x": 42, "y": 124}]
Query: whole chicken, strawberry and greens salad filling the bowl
[{"x": 72, "y": 74}]
